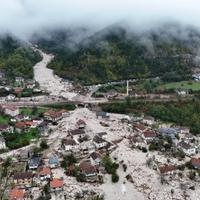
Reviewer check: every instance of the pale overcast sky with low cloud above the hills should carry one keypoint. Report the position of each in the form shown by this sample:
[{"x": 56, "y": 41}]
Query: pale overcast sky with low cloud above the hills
[{"x": 25, "y": 17}]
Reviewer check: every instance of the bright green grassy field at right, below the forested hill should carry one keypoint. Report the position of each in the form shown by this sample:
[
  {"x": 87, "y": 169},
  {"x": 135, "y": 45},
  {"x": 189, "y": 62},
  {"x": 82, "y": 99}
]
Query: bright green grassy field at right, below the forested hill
[{"x": 185, "y": 85}]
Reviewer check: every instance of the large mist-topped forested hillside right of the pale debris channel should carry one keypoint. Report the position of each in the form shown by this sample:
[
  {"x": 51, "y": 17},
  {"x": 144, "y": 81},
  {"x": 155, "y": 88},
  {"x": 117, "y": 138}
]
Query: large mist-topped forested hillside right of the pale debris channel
[{"x": 115, "y": 54}]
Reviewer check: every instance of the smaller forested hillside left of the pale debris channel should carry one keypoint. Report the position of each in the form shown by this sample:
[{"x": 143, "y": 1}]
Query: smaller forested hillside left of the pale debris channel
[{"x": 16, "y": 58}]
